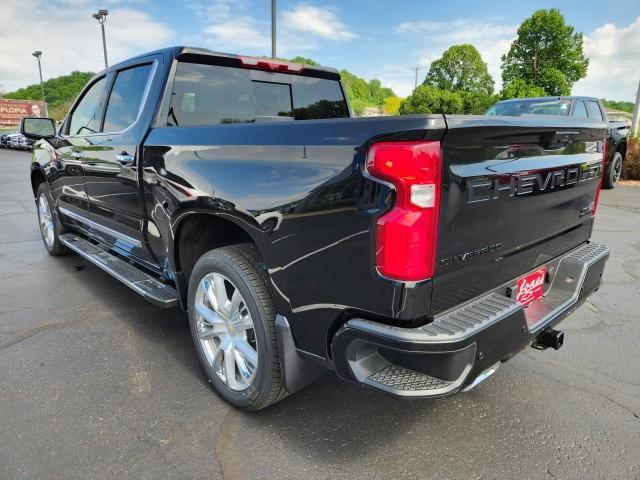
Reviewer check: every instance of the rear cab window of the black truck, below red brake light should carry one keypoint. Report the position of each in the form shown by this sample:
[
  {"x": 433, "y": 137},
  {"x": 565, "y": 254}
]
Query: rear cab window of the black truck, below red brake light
[{"x": 205, "y": 94}]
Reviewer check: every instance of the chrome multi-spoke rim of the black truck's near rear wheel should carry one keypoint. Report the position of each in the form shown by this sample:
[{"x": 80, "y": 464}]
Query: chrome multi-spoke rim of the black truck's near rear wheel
[{"x": 226, "y": 331}]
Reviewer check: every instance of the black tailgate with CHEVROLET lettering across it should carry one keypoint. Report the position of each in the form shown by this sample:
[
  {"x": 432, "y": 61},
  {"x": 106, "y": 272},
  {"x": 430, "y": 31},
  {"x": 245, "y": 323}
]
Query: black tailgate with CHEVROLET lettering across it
[{"x": 516, "y": 192}]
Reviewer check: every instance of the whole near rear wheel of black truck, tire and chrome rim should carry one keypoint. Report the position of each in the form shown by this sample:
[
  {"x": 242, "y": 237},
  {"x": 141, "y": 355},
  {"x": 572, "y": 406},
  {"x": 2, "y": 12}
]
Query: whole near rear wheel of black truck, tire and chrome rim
[{"x": 232, "y": 320}]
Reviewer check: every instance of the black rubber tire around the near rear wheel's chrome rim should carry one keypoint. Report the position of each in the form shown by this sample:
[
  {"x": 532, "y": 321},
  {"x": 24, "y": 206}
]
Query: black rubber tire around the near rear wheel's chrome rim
[{"x": 242, "y": 265}]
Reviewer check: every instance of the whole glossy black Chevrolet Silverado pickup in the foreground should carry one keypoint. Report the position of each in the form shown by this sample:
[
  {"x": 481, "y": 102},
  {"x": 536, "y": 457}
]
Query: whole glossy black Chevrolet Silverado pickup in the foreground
[{"x": 409, "y": 254}]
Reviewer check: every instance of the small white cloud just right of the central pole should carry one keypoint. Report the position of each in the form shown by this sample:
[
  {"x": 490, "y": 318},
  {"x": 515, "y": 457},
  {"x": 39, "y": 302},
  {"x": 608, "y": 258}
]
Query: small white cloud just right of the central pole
[{"x": 321, "y": 22}]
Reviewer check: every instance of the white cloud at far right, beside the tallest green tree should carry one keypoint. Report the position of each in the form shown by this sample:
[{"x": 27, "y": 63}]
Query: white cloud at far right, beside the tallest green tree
[{"x": 614, "y": 62}]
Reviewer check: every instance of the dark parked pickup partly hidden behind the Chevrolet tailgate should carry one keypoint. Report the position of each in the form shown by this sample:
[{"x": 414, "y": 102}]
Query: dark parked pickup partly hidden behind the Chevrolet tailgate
[{"x": 578, "y": 107}]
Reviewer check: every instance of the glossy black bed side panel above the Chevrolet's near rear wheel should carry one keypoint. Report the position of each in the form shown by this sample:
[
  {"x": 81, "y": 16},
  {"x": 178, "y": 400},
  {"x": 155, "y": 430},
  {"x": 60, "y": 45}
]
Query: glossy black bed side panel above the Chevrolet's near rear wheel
[{"x": 296, "y": 188}]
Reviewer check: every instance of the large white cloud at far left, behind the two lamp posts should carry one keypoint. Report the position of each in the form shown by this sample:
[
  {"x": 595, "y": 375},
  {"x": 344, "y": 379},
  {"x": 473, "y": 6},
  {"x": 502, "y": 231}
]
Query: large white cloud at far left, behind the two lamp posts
[{"x": 69, "y": 42}]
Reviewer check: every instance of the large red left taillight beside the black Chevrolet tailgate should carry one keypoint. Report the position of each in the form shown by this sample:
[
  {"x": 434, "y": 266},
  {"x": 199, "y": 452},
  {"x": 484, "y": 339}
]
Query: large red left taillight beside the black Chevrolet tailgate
[{"x": 406, "y": 236}]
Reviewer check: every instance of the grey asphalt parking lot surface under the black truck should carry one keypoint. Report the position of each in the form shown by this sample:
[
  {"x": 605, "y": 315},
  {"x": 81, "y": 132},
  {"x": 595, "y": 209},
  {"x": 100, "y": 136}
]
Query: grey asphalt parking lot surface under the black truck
[{"x": 97, "y": 383}]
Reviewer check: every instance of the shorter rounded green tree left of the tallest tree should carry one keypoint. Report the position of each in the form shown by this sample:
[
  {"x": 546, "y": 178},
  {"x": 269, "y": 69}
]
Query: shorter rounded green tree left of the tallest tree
[{"x": 461, "y": 69}]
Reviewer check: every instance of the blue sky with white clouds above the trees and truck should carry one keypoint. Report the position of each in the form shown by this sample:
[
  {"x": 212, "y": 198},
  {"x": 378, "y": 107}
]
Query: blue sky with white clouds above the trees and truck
[{"x": 371, "y": 38}]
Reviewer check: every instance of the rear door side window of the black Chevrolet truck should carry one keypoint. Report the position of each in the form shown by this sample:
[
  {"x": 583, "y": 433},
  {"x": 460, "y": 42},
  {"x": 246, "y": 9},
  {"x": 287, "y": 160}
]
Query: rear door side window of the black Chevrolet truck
[{"x": 125, "y": 98}]
